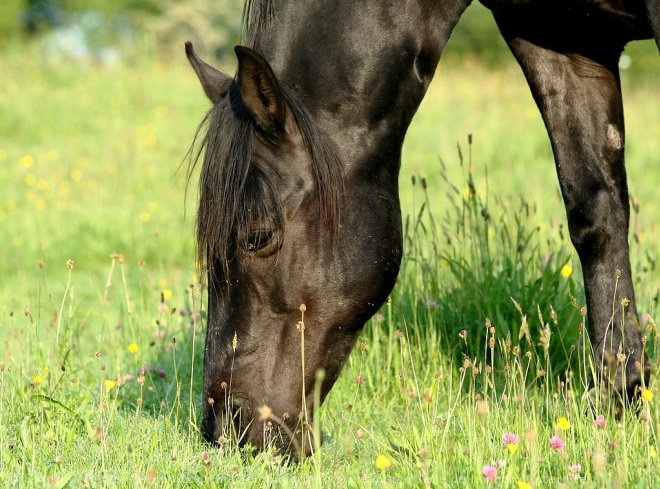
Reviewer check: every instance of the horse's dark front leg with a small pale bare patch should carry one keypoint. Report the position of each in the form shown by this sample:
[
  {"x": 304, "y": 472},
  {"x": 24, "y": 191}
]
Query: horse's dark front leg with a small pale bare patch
[{"x": 579, "y": 97}]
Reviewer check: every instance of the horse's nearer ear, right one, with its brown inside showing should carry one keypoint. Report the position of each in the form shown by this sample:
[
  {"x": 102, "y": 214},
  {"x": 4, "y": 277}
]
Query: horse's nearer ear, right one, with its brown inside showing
[{"x": 259, "y": 91}]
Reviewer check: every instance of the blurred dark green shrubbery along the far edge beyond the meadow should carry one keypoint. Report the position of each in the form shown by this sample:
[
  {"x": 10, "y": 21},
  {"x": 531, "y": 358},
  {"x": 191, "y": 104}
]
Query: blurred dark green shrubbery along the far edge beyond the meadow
[{"x": 95, "y": 25}]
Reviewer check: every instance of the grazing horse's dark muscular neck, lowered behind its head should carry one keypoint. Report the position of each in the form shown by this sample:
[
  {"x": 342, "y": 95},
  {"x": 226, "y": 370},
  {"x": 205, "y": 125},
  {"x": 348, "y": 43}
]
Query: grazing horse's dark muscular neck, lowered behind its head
[{"x": 362, "y": 67}]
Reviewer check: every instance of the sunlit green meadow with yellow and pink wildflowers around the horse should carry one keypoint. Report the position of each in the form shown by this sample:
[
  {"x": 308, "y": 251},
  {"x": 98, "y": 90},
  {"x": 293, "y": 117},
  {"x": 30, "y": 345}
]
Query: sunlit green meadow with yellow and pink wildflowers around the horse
[{"x": 473, "y": 374}]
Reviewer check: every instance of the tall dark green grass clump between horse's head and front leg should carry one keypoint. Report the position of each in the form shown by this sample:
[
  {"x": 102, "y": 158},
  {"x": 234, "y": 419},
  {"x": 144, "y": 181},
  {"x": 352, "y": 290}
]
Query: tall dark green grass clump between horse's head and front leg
[{"x": 487, "y": 265}]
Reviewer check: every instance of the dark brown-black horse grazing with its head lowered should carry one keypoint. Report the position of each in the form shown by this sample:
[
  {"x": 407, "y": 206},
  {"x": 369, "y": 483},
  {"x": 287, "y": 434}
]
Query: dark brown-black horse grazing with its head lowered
[{"x": 299, "y": 219}]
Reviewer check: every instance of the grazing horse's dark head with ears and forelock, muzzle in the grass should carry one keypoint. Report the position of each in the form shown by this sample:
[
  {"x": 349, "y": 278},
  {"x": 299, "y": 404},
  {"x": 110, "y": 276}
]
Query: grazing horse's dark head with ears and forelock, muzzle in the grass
[{"x": 298, "y": 254}]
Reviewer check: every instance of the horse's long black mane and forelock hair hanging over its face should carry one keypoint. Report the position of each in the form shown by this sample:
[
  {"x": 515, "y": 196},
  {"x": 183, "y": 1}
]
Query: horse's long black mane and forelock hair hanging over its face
[{"x": 234, "y": 192}]
